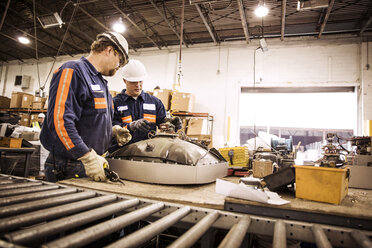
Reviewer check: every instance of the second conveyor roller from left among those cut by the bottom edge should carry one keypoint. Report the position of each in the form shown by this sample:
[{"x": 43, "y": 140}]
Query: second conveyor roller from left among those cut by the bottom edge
[{"x": 144, "y": 234}]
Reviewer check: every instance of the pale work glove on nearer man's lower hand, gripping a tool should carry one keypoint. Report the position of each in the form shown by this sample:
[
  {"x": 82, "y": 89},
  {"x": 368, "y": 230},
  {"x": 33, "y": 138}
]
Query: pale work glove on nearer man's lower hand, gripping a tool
[{"x": 93, "y": 164}]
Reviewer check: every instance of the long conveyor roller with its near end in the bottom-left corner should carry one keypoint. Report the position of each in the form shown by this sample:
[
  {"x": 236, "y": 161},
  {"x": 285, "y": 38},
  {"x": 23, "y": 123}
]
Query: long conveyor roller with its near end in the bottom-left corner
[{"x": 63, "y": 224}]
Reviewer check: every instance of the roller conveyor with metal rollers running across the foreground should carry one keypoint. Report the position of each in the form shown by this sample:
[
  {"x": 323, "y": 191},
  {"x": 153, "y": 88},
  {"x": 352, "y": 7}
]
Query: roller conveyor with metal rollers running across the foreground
[{"x": 99, "y": 220}]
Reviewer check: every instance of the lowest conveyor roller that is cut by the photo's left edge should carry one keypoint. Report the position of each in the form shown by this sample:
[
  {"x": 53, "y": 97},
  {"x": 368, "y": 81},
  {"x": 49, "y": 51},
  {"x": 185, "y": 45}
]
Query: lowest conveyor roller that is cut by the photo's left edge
[{"x": 40, "y": 204}]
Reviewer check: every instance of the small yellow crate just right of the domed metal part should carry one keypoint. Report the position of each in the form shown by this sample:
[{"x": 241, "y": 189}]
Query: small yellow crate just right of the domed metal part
[{"x": 236, "y": 156}]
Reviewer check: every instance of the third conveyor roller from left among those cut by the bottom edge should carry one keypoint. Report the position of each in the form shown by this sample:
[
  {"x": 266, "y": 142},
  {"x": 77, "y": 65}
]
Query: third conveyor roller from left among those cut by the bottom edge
[{"x": 193, "y": 234}]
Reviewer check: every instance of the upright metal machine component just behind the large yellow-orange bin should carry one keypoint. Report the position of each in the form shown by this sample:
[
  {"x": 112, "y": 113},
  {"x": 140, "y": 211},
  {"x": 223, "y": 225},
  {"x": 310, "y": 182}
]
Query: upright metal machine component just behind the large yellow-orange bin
[{"x": 332, "y": 156}]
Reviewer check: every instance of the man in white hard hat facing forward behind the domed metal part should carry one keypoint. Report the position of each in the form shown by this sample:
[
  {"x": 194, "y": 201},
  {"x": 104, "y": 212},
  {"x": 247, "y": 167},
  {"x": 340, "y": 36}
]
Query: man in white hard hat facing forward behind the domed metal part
[{"x": 135, "y": 109}]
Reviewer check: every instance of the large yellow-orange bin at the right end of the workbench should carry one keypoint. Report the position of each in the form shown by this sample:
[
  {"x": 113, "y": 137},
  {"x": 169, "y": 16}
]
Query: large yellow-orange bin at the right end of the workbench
[{"x": 321, "y": 184}]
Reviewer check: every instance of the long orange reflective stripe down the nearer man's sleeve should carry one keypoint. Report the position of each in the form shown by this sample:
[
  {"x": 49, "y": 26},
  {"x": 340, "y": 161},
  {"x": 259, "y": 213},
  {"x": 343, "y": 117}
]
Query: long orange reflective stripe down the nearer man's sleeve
[{"x": 59, "y": 108}]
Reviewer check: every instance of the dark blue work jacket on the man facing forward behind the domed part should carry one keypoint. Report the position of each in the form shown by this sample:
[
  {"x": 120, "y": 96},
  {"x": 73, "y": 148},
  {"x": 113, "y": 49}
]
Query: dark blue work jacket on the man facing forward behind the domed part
[{"x": 127, "y": 110}]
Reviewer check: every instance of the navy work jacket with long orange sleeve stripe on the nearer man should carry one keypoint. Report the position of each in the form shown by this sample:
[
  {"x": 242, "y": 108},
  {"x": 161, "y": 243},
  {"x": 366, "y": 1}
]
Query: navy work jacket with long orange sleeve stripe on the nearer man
[{"x": 80, "y": 111}]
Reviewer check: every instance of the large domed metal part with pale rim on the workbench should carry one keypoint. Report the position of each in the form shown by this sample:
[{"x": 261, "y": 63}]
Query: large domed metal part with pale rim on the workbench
[{"x": 166, "y": 159}]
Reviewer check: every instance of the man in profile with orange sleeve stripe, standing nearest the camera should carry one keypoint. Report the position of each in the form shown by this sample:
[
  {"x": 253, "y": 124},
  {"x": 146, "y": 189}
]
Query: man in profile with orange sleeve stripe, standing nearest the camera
[{"x": 78, "y": 126}]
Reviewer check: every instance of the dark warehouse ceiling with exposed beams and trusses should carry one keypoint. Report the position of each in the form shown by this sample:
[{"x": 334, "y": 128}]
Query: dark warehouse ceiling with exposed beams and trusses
[{"x": 157, "y": 23}]
